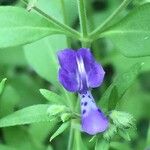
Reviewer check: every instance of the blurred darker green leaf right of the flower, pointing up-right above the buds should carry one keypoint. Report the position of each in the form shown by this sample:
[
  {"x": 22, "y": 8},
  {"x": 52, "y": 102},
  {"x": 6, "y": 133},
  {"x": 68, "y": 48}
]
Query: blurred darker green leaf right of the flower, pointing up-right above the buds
[{"x": 122, "y": 84}]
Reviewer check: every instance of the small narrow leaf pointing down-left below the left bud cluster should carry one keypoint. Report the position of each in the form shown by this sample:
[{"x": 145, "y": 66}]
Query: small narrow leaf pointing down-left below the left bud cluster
[{"x": 60, "y": 130}]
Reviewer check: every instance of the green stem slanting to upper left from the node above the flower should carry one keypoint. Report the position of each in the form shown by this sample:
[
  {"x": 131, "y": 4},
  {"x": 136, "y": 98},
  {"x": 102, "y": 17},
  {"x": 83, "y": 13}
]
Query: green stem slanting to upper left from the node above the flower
[{"x": 62, "y": 26}]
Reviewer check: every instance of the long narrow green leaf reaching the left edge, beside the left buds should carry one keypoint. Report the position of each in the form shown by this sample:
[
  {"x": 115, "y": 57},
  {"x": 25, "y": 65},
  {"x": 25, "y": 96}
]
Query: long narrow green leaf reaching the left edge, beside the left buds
[{"x": 28, "y": 115}]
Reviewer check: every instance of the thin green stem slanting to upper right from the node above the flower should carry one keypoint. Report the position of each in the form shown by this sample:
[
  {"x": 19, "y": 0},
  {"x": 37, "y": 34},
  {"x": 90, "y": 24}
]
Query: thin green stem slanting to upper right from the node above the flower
[{"x": 110, "y": 18}]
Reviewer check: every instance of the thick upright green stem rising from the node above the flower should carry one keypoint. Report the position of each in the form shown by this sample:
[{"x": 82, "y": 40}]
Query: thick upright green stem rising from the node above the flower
[{"x": 82, "y": 18}]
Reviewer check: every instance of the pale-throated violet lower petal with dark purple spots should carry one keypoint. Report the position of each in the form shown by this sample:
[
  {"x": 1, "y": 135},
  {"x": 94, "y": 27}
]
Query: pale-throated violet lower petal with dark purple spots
[{"x": 93, "y": 119}]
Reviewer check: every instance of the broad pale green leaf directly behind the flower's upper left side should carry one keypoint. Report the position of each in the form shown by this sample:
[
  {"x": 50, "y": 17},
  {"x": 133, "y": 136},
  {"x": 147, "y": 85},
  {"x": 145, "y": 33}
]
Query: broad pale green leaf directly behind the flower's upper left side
[{"x": 45, "y": 49}]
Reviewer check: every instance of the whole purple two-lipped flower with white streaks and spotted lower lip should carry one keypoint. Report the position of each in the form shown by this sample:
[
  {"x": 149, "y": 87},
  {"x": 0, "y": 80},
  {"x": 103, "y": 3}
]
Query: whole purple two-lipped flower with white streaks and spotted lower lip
[{"x": 80, "y": 72}]
